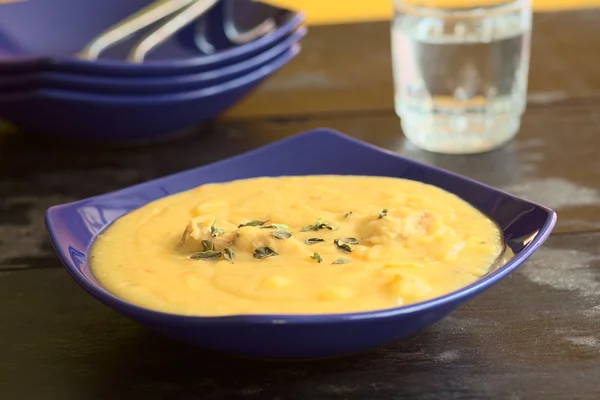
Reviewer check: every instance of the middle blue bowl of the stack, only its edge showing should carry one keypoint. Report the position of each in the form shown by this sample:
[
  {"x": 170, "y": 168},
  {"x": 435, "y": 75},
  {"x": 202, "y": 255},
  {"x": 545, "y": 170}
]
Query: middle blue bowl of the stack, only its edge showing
[{"x": 144, "y": 85}]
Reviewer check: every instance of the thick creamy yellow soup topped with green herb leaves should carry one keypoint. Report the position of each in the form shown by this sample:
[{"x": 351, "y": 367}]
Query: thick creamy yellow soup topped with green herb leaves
[{"x": 311, "y": 244}]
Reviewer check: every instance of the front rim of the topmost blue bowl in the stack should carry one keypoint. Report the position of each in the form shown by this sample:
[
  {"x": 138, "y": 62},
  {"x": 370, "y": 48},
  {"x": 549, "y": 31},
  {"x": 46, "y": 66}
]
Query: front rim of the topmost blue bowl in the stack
[{"x": 42, "y": 60}]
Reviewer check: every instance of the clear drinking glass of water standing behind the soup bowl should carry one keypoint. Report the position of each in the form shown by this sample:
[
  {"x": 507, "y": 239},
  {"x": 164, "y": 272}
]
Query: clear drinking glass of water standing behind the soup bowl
[{"x": 460, "y": 71}]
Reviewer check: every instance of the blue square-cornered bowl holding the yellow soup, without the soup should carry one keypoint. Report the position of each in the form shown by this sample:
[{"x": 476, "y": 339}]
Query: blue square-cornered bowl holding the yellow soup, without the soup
[{"x": 74, "y": 226}]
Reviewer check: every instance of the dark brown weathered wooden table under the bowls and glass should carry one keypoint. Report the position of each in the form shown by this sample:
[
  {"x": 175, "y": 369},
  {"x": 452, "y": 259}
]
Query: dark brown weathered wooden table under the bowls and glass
[{"x": 534, "y": 336}]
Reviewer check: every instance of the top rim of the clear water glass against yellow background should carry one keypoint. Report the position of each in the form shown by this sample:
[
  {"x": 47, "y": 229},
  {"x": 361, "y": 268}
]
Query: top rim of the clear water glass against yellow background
[{"x": 464, "y": 12}]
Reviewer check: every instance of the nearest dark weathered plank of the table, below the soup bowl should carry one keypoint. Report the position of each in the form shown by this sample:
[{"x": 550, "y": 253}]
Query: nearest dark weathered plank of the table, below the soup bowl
[{"x": 536, "y": 335}]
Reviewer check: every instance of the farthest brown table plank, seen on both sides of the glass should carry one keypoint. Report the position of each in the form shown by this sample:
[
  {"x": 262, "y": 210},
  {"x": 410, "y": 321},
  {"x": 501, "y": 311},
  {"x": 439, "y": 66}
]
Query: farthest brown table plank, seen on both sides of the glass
[{"x": 347, "y": 68}]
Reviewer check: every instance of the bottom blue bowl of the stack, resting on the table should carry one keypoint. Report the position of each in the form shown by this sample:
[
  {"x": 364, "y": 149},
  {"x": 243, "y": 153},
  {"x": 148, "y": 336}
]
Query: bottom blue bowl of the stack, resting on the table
[{"x": 128, "y": 119}]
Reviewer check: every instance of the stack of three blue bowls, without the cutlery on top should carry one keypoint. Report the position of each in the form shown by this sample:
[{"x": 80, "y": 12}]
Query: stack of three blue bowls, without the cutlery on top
[{"x": 45, "y": 88}]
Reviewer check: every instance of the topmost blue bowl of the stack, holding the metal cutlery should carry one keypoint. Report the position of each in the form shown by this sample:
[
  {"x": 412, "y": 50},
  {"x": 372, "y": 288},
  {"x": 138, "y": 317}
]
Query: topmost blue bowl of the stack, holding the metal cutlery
[{"x": 69, "y": 25}]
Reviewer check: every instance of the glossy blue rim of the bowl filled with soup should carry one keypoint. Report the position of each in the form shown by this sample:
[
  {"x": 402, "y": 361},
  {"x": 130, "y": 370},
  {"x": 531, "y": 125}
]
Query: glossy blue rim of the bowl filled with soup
[{"x": 107, "y": 298}]
